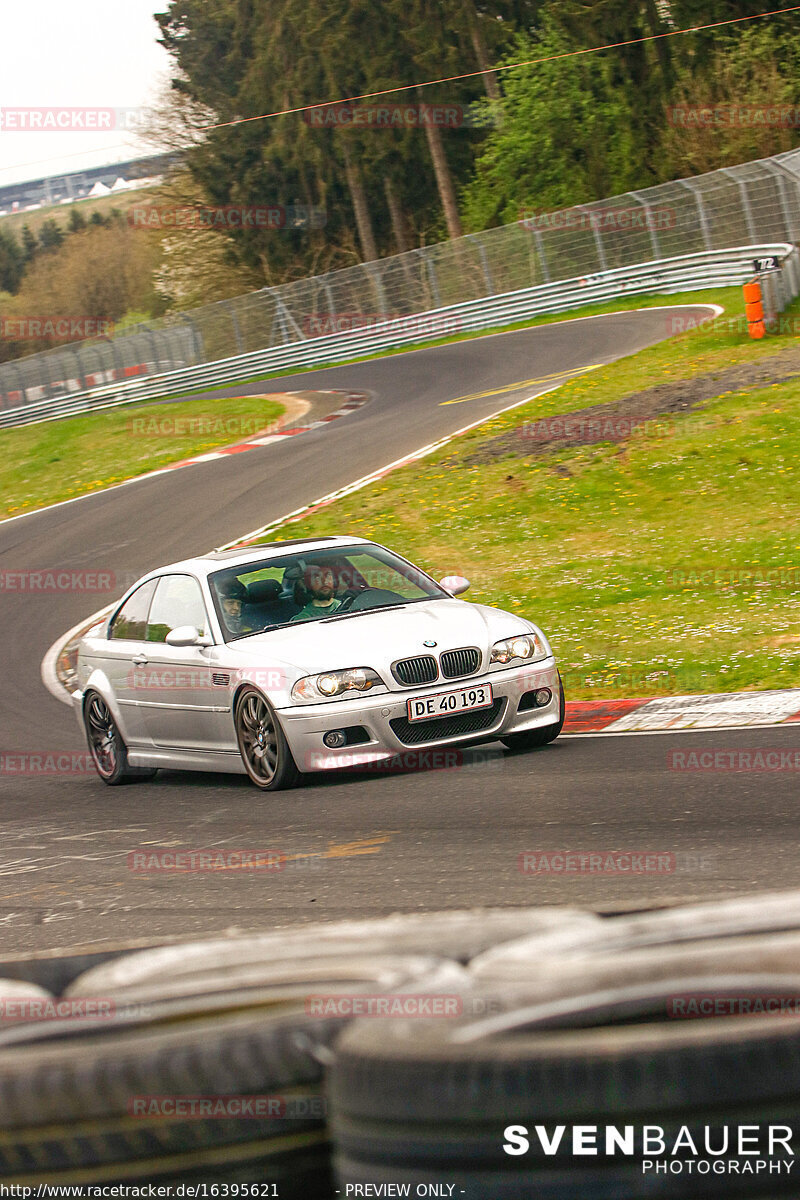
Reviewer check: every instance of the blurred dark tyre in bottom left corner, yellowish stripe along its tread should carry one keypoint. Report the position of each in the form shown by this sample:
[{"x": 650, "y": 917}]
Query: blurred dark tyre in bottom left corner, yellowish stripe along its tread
[{"x": 67, "y": 1105}]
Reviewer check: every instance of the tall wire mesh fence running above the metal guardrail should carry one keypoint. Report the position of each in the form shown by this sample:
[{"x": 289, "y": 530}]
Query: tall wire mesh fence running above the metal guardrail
[{"x": 750, "y": 203}]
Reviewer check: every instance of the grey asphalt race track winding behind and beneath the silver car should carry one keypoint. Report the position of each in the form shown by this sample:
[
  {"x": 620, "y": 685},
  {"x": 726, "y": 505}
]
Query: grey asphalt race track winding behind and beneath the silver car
[{"x": 356, "y": 845}]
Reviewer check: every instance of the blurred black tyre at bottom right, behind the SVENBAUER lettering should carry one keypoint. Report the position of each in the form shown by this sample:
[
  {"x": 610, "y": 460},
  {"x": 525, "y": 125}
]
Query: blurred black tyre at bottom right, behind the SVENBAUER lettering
[{"x": 430, "y": 1102}]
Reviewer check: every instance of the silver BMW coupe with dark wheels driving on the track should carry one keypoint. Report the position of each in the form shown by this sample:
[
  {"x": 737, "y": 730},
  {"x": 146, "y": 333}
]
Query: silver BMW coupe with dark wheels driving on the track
[{"x": 294, "y": 657}]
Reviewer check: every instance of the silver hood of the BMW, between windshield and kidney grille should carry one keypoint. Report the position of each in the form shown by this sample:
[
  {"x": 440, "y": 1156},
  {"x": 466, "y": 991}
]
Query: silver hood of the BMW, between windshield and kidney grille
[{"x": 378, "y": 639}]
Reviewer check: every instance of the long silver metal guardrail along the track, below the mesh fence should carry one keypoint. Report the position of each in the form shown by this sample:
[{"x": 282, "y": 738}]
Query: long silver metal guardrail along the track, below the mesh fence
[{"x": 708, "y": 269}]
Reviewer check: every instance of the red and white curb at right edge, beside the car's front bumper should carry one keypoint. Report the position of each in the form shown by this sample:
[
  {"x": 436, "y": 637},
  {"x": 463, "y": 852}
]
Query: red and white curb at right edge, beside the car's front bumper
[{"x": 665, "y": 715}]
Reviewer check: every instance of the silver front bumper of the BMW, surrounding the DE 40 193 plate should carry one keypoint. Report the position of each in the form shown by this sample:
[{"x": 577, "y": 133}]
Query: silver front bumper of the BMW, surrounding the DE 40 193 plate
[{"x": 384, "y": 719}]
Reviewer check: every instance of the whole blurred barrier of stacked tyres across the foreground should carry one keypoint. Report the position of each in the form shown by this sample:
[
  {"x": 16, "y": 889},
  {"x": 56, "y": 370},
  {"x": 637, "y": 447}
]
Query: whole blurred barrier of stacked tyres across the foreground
[{"x": 556, "y": 1018}]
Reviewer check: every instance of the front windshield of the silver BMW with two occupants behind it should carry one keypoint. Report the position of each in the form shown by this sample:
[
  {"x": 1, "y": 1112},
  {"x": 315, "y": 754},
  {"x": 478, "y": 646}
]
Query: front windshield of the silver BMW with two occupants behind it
[{"x": 315, "y": 585}]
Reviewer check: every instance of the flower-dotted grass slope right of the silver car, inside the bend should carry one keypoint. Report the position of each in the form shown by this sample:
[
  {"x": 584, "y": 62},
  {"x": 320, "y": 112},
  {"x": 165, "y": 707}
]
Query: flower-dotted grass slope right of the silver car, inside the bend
[{"x": 665, "y": 563}]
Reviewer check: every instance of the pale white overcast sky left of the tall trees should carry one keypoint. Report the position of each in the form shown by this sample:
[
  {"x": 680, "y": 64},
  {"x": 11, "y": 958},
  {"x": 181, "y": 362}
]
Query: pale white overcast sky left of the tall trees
[{"x": 98, "y": 55}]
